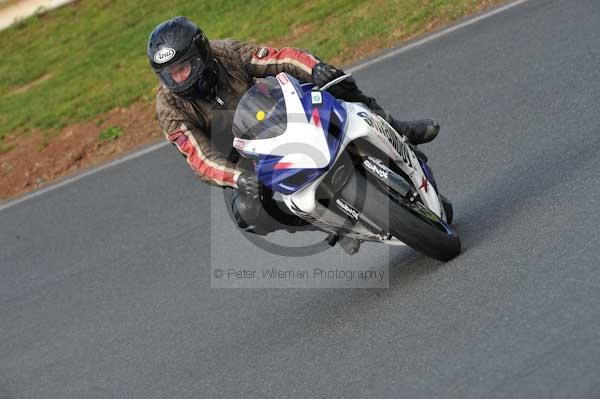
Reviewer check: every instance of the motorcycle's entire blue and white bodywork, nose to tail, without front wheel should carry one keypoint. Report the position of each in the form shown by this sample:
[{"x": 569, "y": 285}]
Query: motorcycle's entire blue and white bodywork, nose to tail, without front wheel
[{"x": 296, "y": 134}]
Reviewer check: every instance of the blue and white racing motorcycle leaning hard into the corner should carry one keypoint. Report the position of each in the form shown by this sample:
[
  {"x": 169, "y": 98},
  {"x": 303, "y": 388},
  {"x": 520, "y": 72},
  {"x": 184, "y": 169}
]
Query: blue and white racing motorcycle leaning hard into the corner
[{"x": 341, "y": 167}]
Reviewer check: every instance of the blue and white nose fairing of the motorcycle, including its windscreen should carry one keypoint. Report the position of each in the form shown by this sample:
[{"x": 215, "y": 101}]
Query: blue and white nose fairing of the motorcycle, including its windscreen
[{"x": 293, "y": 133}]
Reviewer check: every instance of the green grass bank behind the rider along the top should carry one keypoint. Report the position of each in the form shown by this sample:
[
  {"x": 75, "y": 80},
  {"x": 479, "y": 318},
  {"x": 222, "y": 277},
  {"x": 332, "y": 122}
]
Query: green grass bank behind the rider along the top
[{"x": 84, "y": 59}]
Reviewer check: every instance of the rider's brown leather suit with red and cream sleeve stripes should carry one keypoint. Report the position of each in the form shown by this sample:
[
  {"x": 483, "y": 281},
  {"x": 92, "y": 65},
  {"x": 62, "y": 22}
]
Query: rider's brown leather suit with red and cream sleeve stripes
[{"x": 202, "y": 129}]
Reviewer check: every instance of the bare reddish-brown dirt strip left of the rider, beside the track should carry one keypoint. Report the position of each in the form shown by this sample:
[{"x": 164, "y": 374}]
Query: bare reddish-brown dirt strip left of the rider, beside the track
[{"x": 32, "y": 162}]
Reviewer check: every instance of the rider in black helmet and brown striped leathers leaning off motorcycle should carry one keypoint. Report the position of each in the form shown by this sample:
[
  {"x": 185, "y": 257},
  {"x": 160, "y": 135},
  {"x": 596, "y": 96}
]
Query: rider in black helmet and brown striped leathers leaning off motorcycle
[{"x": 202, "y": 83}]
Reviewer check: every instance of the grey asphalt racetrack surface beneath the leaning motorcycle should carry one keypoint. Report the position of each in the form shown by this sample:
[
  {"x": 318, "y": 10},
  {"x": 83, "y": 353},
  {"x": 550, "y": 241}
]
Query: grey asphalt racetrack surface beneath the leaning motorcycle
[{"x": 105, "y": 282}]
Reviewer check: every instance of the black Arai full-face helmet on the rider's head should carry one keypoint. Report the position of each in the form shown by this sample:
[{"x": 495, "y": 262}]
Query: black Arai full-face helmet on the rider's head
[{"x": 179, "y": 53}]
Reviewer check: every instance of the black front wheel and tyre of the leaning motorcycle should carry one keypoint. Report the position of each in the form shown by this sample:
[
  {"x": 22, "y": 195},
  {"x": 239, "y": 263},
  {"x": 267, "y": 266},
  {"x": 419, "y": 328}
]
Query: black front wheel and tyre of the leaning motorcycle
[{"x": 411, "y": 223}]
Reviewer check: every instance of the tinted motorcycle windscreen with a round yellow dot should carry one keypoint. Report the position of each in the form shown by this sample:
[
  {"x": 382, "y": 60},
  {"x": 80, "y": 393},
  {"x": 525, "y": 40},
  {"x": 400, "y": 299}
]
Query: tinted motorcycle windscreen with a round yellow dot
[{"x": 261, "y": 113}]
